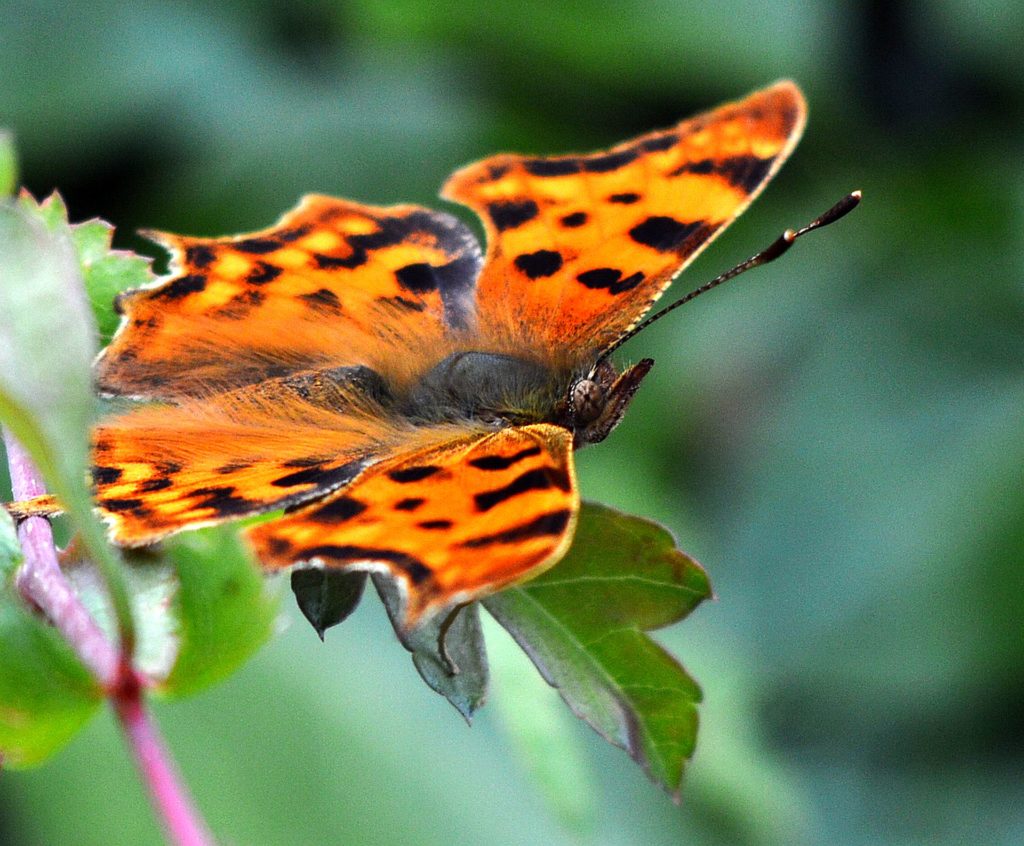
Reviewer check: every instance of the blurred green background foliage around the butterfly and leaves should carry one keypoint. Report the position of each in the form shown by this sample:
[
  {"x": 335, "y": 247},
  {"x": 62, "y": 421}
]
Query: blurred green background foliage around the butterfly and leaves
[{"x": 838, "y": 438}]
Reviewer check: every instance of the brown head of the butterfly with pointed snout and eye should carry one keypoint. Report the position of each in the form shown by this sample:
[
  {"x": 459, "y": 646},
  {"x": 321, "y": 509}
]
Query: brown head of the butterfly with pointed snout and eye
[{"x": 598, "y": 402}]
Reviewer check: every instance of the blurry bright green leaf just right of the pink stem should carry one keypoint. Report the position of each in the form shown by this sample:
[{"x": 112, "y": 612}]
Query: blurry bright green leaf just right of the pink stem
[{"x": 225, "y": 609}]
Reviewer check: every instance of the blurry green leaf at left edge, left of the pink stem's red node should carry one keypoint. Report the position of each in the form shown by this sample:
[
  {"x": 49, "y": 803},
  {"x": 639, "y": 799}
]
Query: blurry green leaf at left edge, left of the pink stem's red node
[{"x": 46, "y": 693}]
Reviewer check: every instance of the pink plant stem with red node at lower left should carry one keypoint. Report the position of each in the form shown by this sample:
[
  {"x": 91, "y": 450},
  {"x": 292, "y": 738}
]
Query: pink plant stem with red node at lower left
[{"x": 41, "y": 581}]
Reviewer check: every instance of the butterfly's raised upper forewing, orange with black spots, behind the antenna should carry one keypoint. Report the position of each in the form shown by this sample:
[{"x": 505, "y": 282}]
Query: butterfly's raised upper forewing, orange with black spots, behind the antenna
[{"x": 579, "y": 247}]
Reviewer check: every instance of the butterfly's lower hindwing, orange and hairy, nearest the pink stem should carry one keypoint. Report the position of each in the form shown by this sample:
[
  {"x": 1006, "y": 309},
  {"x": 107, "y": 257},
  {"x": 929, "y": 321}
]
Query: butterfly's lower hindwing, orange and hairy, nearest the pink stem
[{"x": 162, "y": 469}]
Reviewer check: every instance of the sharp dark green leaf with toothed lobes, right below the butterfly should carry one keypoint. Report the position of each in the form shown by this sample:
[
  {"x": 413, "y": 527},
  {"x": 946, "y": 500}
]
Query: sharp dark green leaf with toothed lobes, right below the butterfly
[{"x": 584, "y": 623}]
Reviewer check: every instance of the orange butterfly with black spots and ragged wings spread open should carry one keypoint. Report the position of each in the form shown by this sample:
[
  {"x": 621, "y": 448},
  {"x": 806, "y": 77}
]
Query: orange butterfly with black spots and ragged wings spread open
[{"x": 411, "y": 405}]
